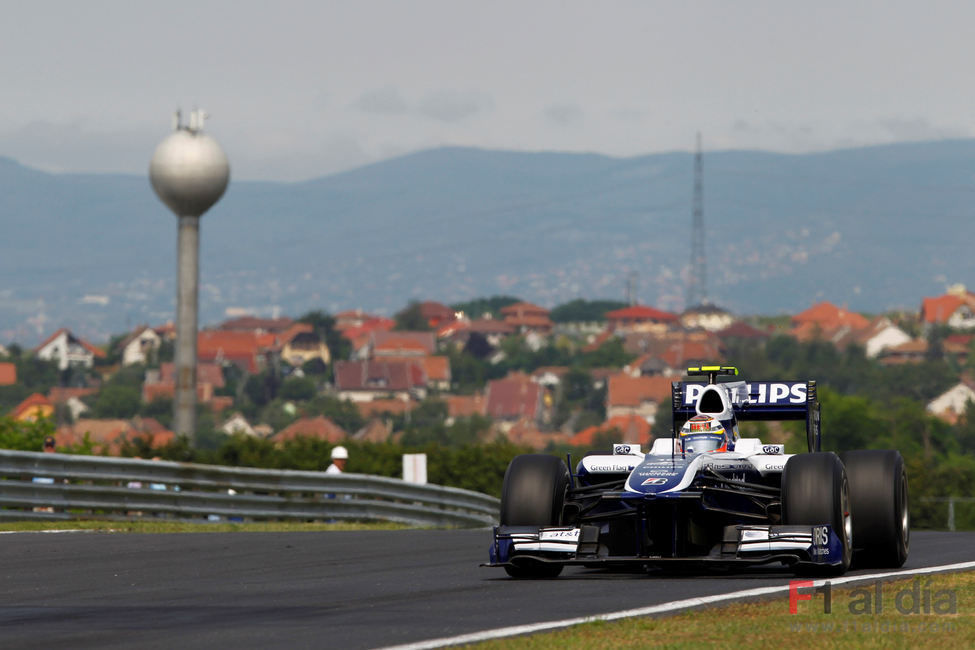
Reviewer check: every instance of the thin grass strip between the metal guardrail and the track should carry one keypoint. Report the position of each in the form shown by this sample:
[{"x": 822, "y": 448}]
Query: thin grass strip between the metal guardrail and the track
[{"x": 139, "y": 526}]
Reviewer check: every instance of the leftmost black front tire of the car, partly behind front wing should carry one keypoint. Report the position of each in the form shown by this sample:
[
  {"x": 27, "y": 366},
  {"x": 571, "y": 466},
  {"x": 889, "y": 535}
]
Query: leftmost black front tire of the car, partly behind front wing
[{"x": 533, "y": 494}]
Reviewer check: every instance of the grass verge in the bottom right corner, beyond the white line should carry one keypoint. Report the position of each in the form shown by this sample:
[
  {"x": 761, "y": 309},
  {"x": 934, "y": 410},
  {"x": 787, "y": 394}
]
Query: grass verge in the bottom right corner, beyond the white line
[{"x": 768, "y": 623}]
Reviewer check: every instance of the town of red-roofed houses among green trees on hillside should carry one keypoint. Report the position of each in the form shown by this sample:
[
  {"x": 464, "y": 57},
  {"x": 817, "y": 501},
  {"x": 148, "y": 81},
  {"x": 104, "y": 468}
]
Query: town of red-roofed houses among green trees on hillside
[{"x": 575, "y": 375}]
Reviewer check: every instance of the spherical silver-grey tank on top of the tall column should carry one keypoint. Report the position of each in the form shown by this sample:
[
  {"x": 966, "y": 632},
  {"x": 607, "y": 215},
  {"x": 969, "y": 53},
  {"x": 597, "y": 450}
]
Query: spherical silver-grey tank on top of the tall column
[{"x": 189, "y": 172}]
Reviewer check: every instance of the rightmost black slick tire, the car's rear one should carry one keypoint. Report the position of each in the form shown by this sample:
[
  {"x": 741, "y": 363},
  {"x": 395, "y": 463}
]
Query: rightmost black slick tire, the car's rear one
[{"x": 878, "y": 501}]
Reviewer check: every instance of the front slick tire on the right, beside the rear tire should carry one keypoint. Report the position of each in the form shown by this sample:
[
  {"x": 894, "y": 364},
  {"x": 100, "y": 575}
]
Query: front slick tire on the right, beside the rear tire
[{"x": 815, "y": 490}]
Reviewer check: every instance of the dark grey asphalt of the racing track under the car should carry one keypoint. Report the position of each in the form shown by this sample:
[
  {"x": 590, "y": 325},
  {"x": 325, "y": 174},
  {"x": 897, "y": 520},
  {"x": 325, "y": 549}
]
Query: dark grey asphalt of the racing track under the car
[{"x": 363, "y": 589}]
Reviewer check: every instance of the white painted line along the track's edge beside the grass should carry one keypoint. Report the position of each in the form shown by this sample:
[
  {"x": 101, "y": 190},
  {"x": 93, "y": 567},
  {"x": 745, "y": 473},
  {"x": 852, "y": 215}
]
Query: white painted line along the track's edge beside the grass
[{"x": 516, "y": 630}]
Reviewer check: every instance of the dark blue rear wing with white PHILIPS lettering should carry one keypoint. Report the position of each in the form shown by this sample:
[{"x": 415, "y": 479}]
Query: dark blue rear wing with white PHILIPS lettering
[{"x": 756, "y": 400}]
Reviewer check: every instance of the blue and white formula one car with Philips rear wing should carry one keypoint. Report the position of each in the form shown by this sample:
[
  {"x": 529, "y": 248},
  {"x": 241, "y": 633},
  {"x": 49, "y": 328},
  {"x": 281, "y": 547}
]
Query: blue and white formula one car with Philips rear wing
[{"x": 707, "y": 497}]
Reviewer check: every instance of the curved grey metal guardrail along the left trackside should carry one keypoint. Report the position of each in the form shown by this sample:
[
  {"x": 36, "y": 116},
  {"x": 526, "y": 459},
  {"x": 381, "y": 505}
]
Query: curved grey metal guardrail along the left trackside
[{"x": 62, "y": 486}]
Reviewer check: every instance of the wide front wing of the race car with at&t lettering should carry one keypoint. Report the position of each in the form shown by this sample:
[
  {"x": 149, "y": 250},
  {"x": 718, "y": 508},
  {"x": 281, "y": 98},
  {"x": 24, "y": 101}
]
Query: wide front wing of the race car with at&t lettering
[{"x": 740, "y": 545}]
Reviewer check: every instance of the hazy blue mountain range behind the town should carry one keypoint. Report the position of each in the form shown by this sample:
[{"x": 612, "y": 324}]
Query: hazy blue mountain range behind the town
[{"x": 876, "y": 228}]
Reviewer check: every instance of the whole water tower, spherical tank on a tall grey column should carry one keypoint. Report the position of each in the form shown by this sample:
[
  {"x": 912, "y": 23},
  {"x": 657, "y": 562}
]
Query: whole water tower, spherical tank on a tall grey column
[{"x": 189, "y": 173}]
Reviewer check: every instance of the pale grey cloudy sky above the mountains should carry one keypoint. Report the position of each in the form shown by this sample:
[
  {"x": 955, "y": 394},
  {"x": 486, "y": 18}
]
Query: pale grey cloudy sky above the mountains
[{"x": 301, "y": 89}]
